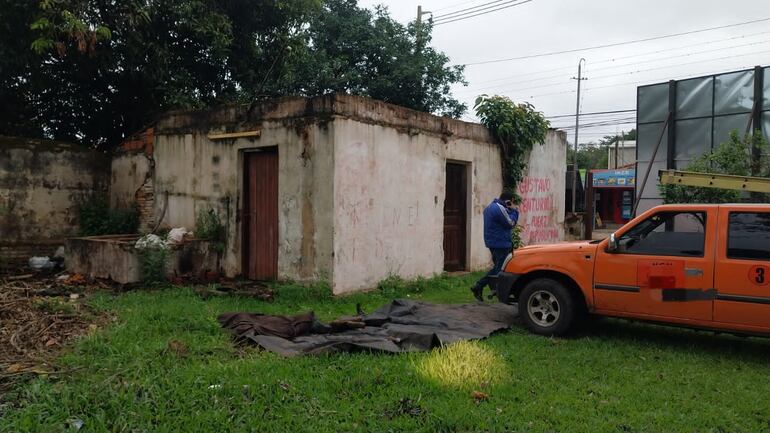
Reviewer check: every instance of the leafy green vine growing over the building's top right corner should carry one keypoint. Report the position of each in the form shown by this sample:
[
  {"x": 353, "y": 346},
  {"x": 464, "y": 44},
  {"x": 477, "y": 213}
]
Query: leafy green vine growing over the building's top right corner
[{"x": 517, "y": 128}]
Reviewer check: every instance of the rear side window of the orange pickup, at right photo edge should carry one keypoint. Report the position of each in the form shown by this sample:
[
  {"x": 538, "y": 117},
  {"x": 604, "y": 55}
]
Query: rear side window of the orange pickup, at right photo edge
[{"x": 748, "y": 236}]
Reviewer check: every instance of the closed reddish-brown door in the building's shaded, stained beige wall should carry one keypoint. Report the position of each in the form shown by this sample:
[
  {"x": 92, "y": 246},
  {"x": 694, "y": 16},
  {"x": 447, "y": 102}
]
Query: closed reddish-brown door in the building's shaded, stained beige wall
[{"x": 260, "y": 216}]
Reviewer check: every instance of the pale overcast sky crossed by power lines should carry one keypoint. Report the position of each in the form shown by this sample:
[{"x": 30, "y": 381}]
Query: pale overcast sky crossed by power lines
[{"x": 546, "y": 26}]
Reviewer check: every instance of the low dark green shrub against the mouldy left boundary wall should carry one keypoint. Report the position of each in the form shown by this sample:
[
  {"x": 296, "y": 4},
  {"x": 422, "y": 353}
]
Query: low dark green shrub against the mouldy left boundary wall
[{"x": 97, "y": 219}]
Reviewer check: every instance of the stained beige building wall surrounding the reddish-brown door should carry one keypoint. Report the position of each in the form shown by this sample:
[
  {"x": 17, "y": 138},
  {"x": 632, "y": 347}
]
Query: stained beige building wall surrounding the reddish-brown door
[{"x": 195, "y": 173}]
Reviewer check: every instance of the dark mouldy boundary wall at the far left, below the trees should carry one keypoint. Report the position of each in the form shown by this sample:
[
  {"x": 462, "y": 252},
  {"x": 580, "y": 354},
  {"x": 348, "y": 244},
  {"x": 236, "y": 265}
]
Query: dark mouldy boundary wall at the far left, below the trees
[{"x": 41, "y": 184}]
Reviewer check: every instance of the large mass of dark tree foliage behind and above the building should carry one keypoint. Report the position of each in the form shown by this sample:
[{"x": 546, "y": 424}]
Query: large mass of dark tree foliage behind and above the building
[{"x": 98, "y": 70}]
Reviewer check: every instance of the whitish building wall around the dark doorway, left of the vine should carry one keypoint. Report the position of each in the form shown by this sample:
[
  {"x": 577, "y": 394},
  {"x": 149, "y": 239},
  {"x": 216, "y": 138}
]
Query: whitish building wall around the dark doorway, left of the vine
[{"x": 389, "y": 190}]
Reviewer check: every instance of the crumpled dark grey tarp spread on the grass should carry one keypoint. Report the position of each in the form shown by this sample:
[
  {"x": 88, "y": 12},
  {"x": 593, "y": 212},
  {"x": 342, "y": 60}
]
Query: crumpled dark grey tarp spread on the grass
[{"x": 401, "y": 326}]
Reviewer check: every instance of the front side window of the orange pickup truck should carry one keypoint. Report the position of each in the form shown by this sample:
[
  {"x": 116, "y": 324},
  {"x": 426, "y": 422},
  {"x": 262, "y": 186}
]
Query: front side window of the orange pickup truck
[{"x": 667, "y": 234}]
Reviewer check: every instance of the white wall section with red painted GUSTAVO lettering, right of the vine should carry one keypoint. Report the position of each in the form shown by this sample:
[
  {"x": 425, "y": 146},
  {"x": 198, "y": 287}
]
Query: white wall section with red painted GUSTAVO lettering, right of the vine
[{"x": 543, "y": 191}]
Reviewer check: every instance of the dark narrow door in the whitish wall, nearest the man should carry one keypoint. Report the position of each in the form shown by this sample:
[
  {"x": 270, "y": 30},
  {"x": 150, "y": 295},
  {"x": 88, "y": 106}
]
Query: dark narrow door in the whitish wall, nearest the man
[{"x": 455, "y": 208}]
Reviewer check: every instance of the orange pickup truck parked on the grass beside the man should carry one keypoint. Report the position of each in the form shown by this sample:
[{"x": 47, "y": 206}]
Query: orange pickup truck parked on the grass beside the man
[{"x": 700, "y": 266}]
